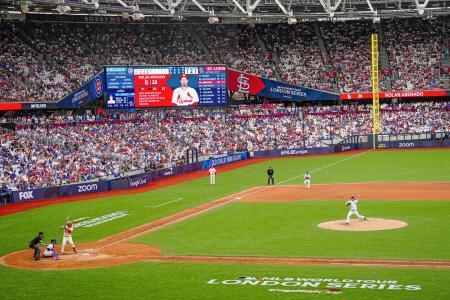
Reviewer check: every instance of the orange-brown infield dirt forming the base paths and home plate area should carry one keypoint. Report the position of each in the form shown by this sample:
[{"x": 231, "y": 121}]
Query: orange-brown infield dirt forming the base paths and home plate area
[{"x": 116, "y": 249}]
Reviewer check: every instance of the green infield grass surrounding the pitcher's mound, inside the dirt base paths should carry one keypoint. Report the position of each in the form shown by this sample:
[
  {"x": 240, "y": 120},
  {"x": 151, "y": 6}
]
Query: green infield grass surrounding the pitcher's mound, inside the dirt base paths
[{"x": 290, "y": 229}]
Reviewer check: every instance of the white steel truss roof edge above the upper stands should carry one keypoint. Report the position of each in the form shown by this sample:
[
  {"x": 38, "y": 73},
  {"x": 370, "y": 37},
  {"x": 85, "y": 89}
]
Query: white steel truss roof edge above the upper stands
[{"x": 231, "y": 11}]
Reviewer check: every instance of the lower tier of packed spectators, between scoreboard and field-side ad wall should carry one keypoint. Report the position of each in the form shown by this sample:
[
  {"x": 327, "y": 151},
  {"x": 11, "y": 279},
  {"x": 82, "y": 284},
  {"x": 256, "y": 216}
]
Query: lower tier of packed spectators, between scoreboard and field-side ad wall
[{"x": 51, "y": 150}]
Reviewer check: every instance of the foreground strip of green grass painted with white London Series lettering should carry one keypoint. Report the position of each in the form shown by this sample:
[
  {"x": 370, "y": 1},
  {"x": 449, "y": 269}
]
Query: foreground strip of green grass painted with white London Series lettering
[{"x": 190, "y": 281}]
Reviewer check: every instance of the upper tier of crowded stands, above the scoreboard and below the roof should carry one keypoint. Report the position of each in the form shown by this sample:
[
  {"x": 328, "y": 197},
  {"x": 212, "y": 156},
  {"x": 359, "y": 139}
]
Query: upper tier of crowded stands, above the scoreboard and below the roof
[{"x": 45, "y": 61}]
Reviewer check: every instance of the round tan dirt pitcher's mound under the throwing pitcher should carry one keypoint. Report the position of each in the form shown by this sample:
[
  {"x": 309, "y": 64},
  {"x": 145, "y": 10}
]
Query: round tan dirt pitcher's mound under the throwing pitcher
[{"x": 373, "y": 224}]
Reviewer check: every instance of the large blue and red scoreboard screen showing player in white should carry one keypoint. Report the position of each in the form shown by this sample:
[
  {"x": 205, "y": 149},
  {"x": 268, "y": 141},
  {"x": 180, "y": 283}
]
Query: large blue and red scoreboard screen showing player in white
[{"x": 159, "y": 86}]
